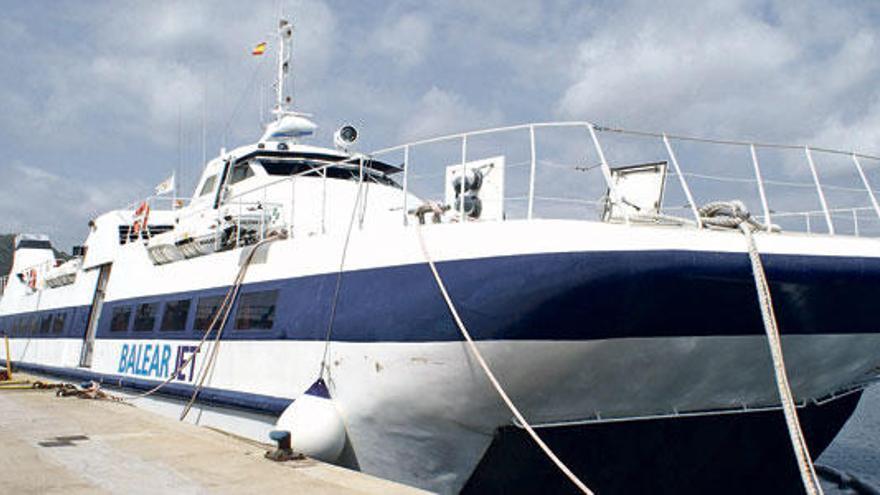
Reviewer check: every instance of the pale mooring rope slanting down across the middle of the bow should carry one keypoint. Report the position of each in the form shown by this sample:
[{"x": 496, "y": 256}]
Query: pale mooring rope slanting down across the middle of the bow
[{"x": 491, "y": 376}]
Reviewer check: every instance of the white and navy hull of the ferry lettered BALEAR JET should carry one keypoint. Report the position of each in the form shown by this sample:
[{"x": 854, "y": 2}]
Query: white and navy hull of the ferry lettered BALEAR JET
[{"x": 615, "y": 324}]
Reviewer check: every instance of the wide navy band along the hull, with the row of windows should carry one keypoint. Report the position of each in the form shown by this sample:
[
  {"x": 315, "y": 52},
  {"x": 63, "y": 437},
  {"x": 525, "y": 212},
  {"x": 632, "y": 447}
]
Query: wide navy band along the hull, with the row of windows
[{"x": 564, "y": 296}]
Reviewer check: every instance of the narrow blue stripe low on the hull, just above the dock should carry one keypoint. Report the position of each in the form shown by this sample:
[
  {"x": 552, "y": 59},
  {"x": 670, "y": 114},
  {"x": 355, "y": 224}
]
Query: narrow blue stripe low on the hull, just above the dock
[{"x": 256, "y": 403}]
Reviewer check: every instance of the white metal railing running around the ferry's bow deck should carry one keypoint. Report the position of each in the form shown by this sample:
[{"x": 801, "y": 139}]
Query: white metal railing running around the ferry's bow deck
[{"x": 593, "y": 137}]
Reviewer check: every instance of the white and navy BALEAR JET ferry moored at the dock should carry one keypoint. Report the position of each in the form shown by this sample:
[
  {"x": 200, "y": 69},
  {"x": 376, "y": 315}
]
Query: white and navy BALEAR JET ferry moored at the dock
[{"x": 350, "y": 298}]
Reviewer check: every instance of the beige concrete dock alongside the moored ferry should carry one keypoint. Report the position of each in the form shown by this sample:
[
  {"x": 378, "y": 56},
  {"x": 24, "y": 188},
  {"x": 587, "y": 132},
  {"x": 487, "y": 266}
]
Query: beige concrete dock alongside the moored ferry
[{"x": 70, "y": 445}]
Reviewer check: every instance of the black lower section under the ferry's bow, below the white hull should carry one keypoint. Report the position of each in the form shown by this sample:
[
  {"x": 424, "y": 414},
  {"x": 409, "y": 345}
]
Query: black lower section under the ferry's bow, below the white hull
[{"x": 719, "y": 454}]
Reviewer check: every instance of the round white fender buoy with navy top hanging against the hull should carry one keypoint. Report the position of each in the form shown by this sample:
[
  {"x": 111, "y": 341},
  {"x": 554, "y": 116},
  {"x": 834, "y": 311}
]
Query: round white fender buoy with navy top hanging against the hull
[{"x": 315, "y": 426}]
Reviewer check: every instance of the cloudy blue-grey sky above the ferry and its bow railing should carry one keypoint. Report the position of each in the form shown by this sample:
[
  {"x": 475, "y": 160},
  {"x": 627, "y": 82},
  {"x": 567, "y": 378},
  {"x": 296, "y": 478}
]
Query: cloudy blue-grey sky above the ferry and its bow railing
[{"x": 103, "y": 100}]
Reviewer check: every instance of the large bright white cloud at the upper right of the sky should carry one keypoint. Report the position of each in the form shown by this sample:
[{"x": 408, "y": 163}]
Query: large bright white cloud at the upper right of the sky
[{"x": 740, "y": 69}]
